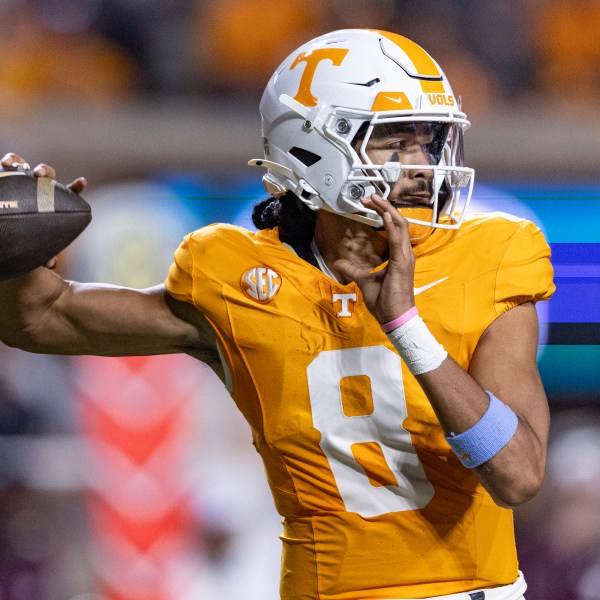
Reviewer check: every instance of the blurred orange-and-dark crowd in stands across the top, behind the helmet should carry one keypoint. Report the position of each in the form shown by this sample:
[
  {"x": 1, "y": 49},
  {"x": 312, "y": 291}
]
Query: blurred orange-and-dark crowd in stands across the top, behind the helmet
[{"x": 100, "y": 51}]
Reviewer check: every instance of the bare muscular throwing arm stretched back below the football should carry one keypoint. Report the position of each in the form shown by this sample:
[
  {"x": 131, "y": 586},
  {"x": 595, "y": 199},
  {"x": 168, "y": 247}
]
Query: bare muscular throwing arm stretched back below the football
[{"x": 43, "y": 313}]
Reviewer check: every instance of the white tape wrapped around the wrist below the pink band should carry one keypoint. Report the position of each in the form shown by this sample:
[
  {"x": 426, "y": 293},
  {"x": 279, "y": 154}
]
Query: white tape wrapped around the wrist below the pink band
[{"x": 417, "y": 347}]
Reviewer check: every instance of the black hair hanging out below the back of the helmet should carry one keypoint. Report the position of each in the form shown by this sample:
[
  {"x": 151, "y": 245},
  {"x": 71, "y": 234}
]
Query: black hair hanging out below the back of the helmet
[{"x": 295, "y": 220}]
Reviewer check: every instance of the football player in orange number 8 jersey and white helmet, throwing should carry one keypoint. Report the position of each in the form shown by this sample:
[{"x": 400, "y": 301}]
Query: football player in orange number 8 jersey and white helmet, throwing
[{"x": 380, "y": 341}]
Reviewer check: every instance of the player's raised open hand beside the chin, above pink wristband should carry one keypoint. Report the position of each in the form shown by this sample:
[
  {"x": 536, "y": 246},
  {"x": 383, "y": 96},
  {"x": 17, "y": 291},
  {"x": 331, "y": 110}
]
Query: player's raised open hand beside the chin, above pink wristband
[{"x": 388, "y": 292}]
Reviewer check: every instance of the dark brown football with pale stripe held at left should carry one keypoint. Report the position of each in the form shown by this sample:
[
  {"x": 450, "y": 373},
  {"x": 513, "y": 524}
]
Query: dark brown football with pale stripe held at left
[{"x": 38, "y": 218}]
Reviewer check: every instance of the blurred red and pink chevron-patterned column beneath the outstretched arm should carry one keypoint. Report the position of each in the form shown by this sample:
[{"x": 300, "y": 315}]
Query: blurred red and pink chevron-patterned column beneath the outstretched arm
[{"x": 138, "y": 419}]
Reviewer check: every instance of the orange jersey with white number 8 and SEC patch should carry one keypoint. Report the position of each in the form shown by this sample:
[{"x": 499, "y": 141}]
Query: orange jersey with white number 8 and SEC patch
[{"x": 375, "y": 503}]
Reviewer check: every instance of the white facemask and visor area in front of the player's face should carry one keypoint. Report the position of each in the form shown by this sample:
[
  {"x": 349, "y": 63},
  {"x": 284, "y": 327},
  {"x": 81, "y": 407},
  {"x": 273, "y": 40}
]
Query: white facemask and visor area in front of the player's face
[{"x": 442, "y": 178}]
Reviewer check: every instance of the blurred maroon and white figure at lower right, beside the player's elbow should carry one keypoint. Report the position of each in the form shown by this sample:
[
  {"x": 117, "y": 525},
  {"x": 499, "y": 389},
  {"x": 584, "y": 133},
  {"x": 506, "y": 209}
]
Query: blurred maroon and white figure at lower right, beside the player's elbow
[{"x": 558, "y": 532}]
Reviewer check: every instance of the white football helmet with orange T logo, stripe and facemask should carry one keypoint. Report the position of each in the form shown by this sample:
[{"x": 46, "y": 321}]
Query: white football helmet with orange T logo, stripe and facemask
[{"x": 351, "y": 82}]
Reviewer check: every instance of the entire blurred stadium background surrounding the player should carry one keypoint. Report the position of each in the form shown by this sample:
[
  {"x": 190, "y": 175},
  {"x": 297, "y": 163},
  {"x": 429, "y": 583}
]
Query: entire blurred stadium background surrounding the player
[{"x": 134, "y": 479}]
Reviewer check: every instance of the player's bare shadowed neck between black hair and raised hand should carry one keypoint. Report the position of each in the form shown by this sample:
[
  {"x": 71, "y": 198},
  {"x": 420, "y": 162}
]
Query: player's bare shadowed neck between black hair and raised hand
[{"x": 339, "y": 237}]
